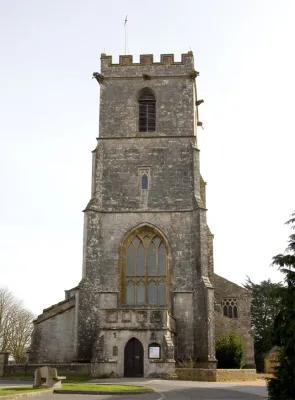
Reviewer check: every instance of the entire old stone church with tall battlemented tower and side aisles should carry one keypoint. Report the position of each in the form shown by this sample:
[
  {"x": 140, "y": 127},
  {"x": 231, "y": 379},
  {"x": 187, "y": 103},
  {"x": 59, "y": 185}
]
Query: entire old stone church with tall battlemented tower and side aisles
[{"x": 148, "y": 296}]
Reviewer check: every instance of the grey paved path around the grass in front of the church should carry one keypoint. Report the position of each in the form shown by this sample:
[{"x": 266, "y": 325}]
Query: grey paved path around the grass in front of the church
[{"x": 174, "y": 390}]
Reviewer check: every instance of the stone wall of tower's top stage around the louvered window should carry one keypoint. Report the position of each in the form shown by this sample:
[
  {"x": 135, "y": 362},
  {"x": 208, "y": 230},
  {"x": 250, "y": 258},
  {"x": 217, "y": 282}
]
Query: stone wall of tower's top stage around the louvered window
[{"x": 173, "y": 90}]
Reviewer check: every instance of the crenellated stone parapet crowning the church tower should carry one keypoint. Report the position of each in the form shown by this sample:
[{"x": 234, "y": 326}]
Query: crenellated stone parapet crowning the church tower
[{"x": 166, "y": 66}]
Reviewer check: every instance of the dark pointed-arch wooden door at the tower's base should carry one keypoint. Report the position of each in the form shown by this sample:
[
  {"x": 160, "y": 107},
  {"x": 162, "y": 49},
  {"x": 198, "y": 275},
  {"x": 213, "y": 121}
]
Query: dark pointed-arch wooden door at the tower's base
[{"x": 133, "y": 359}]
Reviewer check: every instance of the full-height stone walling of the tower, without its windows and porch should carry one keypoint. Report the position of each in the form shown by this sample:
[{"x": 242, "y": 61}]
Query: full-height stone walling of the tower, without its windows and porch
[{"x": 172, "y": 205}]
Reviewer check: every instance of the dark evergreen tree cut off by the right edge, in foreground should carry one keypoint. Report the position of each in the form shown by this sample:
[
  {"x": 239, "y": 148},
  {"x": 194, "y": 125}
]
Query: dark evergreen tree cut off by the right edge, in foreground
[{"x": 282, "y": 386}]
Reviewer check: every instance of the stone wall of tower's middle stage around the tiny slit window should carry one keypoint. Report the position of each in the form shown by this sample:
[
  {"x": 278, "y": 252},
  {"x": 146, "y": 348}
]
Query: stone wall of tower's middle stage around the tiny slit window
[{"x": 117, "y": 183}]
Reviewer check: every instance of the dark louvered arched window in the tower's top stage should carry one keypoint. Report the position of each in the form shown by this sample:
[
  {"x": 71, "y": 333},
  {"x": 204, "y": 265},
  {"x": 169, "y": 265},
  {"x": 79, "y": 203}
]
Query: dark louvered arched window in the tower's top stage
[{"x": 147, "y": 111}]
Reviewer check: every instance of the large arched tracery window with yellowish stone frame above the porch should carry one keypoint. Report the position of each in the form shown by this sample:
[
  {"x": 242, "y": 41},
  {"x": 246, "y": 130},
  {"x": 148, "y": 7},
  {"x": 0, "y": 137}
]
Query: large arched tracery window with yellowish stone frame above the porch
[{"x": 145, "y": 270}]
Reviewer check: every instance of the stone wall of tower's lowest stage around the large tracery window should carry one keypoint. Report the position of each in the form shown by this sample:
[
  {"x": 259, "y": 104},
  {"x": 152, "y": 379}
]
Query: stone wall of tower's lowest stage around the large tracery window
[{"x": 100, "y": 291}]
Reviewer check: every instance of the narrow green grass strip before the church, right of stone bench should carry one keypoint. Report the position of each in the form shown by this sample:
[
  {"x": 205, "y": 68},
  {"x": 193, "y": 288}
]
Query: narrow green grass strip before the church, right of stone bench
[{"x": 103, "y": 387}]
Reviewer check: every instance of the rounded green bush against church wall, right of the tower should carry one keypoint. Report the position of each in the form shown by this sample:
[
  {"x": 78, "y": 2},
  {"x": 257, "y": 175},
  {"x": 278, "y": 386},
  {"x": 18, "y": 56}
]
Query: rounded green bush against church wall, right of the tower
[{"x": 230, "y": 351}]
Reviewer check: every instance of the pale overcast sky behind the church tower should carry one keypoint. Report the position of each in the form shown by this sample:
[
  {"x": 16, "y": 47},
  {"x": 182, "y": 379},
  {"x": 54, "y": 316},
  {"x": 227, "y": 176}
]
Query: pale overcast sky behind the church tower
[{"x": 49, "y": 109}]
